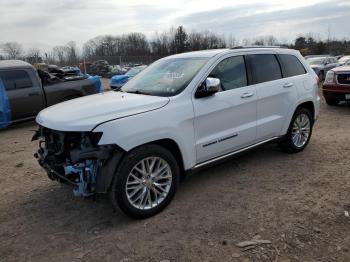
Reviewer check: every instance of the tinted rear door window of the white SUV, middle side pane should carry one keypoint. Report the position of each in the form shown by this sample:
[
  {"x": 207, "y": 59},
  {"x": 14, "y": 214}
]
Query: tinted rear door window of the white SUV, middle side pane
[{"x": 265, "y": 68}]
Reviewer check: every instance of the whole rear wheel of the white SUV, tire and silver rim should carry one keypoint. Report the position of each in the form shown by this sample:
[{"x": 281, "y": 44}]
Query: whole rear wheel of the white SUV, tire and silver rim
[{"x": 299, "y": 132}]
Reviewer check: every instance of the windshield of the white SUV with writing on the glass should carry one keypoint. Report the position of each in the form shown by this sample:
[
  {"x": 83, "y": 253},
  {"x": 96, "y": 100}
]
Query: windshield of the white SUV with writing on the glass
[{"x": 167, "y": 77}]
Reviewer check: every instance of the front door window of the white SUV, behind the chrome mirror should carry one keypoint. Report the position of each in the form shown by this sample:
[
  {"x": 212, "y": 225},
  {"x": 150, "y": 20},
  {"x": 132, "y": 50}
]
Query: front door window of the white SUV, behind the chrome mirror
[{"x": 231, "y": 72}]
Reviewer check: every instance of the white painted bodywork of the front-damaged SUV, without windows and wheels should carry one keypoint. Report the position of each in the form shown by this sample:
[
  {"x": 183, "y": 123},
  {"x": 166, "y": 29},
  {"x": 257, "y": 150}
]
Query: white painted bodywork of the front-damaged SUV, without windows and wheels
[{"x": 203, "y": 128}]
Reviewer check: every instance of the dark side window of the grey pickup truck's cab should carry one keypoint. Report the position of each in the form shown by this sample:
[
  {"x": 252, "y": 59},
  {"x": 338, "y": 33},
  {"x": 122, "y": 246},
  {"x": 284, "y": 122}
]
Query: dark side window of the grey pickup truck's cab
[{"x": 16, "y": 79}]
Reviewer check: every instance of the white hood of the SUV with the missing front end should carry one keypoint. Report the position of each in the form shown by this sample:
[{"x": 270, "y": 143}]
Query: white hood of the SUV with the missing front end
[{"x": 83, "y": 114}]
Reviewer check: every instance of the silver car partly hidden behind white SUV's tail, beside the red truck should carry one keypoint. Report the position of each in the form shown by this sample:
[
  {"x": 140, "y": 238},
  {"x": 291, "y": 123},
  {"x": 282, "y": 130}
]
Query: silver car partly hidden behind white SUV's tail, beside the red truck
[{"x": 321, "y": 64}]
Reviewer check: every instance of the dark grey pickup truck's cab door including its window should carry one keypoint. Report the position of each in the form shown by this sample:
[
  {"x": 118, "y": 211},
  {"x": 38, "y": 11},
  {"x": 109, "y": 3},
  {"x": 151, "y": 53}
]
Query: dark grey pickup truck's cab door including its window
[{"x": 24, "y": 93}]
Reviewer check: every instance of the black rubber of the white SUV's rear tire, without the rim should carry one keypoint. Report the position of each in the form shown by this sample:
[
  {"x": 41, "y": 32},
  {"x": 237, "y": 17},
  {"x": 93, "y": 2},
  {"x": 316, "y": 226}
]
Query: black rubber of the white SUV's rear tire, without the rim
[{"x": 287, "y": 143}]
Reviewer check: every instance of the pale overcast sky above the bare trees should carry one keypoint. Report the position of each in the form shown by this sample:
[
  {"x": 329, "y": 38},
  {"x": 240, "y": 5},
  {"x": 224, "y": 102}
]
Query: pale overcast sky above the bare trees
[{"x": 45, "y": 23}]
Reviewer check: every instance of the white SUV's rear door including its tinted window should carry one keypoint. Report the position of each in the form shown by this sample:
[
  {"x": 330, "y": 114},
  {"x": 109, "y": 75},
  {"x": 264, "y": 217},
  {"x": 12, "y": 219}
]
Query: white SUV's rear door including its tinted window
[{"x": 275, "y": 95}]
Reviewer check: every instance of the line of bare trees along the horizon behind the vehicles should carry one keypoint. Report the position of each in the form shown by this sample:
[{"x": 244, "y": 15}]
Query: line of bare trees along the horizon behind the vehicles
[{"x": 171, "y": 41}]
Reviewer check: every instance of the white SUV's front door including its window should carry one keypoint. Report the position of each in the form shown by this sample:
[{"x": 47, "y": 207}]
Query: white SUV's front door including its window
[{"x": 226, "y": 121}]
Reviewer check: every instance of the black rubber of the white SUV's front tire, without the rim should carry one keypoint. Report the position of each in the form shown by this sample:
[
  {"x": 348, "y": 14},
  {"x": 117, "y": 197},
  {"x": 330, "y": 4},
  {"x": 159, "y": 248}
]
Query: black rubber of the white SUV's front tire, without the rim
[{"x": 118, "y": 193}]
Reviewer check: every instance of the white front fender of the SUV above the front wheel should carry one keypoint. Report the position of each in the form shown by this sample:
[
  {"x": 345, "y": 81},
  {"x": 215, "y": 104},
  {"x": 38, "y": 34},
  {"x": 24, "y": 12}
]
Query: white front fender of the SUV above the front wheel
[{"x": 126, "y": 134}]
